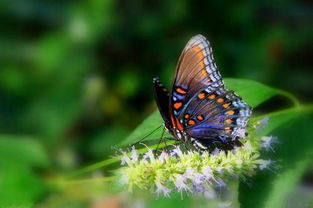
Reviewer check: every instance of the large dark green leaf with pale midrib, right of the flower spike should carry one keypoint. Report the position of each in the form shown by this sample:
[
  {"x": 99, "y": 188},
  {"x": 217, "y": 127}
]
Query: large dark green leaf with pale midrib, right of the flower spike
[{"x": 292, "y": 155}]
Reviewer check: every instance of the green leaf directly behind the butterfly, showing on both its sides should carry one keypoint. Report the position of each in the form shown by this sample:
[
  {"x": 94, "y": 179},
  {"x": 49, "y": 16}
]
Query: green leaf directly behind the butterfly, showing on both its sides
[{"x": 252, "y": 92}]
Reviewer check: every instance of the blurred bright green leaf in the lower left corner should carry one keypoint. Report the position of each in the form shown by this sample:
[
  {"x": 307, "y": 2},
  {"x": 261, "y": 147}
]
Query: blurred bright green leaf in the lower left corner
[{"x": 19, "y": 183}]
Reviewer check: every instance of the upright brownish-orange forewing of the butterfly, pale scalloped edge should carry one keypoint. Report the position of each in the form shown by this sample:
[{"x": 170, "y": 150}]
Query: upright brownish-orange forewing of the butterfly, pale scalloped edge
[{"x": 196, "y": 70}]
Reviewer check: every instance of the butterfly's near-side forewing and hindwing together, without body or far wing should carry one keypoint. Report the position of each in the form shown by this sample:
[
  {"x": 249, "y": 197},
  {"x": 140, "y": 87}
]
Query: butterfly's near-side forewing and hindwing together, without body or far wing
[{"x": 199, "y": 101}]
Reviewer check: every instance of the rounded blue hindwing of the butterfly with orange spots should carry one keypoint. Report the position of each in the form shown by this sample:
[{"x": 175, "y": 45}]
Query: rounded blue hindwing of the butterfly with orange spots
[{"x": 219, "y": 113}]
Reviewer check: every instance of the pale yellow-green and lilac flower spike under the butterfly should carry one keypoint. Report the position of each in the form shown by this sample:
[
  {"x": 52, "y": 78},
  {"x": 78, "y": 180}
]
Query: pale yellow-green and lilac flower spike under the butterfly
[{"x": 190, "y": 171}]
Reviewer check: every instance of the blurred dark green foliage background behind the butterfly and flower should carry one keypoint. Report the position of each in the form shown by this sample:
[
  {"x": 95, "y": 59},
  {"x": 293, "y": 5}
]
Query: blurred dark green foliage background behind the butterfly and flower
[{"x": 75, "y": 76}]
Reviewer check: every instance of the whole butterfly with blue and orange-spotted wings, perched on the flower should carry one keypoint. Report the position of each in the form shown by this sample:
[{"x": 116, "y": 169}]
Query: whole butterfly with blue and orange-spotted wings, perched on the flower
[{"x": 199, "y": 110}]
